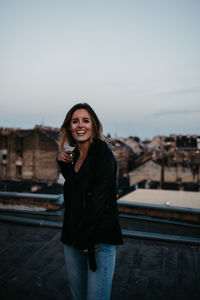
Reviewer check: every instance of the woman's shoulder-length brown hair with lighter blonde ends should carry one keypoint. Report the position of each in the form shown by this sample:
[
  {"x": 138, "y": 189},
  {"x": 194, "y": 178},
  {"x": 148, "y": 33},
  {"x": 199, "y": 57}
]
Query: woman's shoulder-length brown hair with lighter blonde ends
[{"x": 65, "y": 133}]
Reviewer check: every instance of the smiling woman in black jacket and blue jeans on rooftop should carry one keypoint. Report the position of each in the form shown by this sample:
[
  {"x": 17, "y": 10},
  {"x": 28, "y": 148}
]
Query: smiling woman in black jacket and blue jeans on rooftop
[{"x": 91, "y": 227}]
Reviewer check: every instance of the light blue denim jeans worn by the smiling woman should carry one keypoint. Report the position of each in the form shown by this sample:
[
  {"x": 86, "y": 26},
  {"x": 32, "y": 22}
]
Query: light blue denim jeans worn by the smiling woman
[{"x": 84, "y": 283}]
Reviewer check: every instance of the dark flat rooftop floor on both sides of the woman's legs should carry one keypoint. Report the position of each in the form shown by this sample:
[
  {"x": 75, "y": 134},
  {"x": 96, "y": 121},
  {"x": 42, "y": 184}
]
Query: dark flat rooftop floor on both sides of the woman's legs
[{"x": 32, "y": 267}]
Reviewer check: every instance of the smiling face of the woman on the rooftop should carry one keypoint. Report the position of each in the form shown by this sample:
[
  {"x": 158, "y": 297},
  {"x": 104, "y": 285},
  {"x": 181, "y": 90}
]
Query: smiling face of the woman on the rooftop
[{"x": 81, "y": 126}]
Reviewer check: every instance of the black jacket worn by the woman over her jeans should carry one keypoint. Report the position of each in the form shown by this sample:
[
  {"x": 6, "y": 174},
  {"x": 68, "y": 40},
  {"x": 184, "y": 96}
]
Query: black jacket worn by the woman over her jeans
[{"x": 91, "y": 214}]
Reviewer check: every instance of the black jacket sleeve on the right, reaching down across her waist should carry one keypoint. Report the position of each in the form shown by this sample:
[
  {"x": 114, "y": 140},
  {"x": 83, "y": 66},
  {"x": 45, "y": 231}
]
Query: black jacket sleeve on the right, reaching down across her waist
[{"x": 98, "y": 197}]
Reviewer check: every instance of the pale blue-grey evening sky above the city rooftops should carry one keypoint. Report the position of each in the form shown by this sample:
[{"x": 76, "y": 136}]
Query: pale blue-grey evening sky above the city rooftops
[{"x": 136, "y": 62}]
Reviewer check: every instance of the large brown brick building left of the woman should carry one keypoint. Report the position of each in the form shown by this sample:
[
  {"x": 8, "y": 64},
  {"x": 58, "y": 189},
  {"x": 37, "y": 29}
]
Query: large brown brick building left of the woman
[{"x": 28, "y": 154}]
